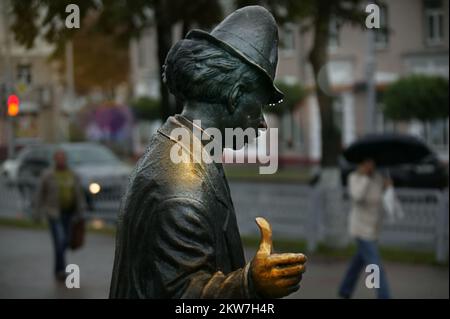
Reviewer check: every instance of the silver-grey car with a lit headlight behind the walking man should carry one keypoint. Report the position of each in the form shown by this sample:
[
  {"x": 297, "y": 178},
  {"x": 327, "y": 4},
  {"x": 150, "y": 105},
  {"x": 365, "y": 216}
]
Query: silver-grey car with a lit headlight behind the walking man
[{"x": 101, "y": 172}]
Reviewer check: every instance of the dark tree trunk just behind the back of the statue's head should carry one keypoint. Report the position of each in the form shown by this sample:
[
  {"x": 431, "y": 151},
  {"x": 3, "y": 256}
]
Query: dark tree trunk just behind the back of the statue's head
[{"x": 164, "y": 41}]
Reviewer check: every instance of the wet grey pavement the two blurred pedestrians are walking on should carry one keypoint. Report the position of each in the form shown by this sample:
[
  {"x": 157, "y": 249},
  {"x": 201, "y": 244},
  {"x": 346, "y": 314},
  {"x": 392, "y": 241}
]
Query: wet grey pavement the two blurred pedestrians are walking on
[{"x": 26, "y": 260}]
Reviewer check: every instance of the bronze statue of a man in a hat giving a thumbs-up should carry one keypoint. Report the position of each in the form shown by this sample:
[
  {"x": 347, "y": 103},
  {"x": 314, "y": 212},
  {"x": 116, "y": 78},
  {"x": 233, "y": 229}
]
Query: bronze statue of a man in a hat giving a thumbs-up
[{"x": 177, "y": 232}]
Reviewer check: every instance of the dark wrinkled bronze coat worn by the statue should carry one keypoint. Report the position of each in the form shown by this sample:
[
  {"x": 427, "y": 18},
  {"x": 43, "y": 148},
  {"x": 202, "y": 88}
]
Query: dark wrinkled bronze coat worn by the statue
[{"x": 177, "y": 232}]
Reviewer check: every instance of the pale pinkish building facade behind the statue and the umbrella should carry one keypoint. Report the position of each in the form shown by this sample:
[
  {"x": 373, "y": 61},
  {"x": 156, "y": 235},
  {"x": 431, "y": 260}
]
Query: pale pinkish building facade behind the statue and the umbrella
[{"x": 413, "y": 38}]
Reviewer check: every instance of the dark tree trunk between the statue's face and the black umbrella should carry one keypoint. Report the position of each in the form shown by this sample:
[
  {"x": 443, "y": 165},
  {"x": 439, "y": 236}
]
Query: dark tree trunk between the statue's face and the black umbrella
[{"x": 319, "y": 58}]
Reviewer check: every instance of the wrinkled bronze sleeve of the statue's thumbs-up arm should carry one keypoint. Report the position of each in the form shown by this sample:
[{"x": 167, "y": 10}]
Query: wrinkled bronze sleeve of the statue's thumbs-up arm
[{"x": 185, "y": 256}]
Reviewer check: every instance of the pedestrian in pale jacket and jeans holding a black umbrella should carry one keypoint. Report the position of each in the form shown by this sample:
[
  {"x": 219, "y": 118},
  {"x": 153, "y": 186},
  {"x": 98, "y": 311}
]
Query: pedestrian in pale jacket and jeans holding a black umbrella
[{"x": 366, "y": 189}]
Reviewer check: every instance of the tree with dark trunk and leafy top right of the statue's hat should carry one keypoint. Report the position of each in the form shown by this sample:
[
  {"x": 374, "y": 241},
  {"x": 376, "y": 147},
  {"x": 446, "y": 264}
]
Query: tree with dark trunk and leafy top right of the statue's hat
[{"x": 316, "y": 16}]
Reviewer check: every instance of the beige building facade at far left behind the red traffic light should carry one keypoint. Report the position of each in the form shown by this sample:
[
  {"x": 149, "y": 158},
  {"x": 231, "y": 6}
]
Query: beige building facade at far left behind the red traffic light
[{"x": 28, "y": 74}]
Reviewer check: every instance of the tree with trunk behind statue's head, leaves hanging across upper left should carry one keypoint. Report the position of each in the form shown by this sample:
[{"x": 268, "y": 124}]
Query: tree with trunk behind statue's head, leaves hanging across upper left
[{"x": 121, "y": 19}]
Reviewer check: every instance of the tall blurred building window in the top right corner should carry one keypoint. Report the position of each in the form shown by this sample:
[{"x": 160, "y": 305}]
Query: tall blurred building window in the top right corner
[{"x": 434, "y": 22}]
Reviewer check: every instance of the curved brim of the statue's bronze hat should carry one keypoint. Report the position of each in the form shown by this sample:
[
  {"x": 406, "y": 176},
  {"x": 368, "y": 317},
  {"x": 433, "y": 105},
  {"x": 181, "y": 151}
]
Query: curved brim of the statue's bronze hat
[{"x": 276, "y": 96}]
